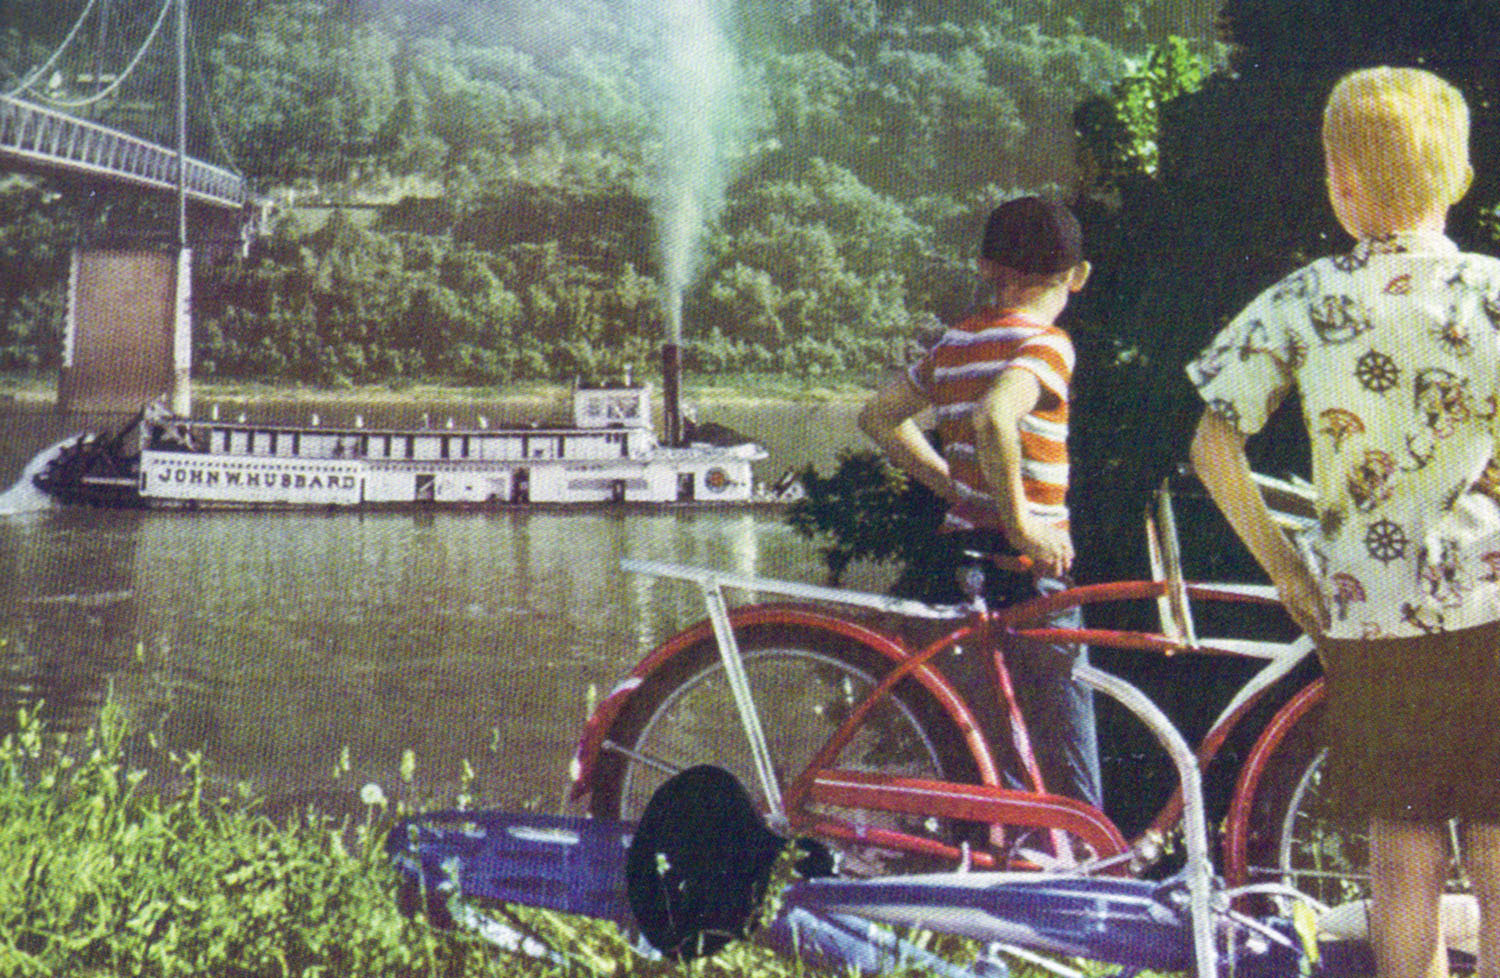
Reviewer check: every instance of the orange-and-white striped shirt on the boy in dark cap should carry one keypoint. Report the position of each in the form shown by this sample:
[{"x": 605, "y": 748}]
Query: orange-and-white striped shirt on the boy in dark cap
[{"x": 956, "y": 374}]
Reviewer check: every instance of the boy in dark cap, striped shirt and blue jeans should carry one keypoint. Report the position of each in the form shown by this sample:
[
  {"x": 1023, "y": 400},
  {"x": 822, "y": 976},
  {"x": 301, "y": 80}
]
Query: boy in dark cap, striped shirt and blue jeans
[{"x": 1000, "y": 385}]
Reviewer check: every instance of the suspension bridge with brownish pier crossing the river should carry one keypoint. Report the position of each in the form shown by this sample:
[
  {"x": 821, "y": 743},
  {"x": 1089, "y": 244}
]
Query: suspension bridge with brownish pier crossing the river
[{"x": 128, "y": 335}]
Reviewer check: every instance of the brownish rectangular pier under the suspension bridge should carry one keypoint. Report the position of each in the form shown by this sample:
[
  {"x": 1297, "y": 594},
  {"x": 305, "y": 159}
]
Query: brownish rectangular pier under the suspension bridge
[{"x": 128, "y": 338}]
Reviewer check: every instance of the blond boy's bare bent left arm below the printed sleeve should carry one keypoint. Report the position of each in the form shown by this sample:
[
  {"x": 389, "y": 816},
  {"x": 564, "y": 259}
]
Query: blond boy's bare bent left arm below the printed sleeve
[{"x": 1219, "y": 457}]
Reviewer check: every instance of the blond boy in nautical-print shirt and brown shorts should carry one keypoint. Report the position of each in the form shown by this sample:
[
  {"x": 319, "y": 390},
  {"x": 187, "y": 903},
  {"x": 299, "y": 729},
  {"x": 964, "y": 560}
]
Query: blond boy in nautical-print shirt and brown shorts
[{"x": 1396, "y": 352}]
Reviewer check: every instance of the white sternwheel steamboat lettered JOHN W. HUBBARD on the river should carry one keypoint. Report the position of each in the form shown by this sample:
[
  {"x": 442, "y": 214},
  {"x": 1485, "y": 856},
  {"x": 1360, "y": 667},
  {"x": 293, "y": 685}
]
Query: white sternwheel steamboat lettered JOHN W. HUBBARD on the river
[{"x": 608, "y": 455}]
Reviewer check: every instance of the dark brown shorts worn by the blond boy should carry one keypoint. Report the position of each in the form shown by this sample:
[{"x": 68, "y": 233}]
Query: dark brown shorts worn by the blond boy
[{"x": 1414, "y": 725}]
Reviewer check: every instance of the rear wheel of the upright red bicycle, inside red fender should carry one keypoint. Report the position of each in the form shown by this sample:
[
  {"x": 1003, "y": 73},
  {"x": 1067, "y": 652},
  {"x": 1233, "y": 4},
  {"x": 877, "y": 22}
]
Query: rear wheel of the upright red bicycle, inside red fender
[{"x": 805, "y": 686}]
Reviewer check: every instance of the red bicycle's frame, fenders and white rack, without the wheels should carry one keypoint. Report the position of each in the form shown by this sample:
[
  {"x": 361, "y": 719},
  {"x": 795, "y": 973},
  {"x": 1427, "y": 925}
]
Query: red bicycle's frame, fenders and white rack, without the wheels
[{"x": 988, "y": 802}]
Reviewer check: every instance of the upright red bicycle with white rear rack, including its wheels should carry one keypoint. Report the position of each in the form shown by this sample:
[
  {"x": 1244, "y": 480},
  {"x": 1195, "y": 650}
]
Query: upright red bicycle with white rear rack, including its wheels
[{"x": 854, "y": 736}]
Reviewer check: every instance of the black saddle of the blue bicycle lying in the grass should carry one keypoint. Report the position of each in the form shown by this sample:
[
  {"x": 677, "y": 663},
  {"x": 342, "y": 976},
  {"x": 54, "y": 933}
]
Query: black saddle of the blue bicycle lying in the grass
[{"x": 700, "y": 863}]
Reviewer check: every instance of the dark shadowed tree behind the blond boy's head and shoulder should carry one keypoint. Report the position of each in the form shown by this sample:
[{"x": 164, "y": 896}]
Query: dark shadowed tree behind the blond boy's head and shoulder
[{"x": 1235, "y": 203}]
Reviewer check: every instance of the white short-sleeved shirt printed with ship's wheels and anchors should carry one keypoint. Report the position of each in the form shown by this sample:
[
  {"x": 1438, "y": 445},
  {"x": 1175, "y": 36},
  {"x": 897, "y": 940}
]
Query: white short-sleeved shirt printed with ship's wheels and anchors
[{"x": 1396, "y": 350}]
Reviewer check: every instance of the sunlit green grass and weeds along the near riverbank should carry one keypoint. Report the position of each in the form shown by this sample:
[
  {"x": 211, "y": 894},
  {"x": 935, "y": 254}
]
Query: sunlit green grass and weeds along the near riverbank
[{"x": 101, "y": 877}]
